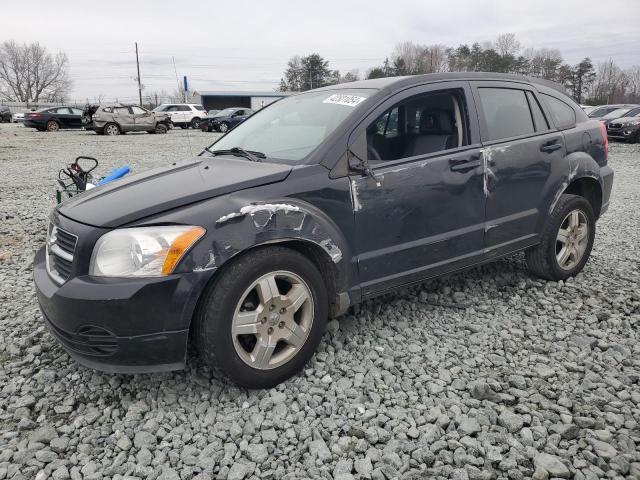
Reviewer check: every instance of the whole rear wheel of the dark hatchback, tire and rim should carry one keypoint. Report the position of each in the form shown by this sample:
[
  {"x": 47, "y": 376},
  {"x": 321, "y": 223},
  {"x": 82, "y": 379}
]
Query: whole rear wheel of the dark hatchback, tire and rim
[{"x": 545, "y": 259}]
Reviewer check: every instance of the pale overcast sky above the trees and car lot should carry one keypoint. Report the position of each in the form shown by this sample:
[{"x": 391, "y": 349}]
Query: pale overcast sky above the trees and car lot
[{"x": 245, "y": 45}]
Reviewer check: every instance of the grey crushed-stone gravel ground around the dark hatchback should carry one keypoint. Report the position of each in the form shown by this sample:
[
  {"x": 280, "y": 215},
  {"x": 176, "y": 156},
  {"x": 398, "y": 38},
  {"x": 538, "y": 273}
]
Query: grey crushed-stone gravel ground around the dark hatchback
[{"x": 487, "y": 374}]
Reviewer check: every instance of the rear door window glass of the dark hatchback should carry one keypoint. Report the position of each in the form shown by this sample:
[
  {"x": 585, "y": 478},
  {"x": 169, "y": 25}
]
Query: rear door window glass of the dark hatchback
[{"x": 506, "y": 112}]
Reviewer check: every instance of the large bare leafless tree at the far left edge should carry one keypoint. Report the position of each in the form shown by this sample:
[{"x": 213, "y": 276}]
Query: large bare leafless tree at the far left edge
[{"x": 29, "y": 73}]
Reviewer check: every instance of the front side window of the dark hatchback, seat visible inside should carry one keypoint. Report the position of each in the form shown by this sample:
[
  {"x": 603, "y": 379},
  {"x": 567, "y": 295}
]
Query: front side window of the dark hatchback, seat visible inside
[{"x": 420, "y": 125}]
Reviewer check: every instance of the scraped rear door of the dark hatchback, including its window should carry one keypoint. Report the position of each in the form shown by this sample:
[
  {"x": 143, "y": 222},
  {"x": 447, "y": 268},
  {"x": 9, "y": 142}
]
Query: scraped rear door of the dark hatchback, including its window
[{"x": 521, "y": 151}]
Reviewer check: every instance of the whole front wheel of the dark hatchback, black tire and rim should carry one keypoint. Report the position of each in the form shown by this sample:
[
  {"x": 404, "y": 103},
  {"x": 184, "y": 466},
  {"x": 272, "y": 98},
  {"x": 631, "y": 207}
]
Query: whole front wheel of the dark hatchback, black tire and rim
[{"x": 235, "y": 355}]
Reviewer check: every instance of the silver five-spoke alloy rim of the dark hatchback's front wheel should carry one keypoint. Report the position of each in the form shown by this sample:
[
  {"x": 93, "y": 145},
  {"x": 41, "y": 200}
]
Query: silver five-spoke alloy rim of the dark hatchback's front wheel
[{"x": 272, "y": 320}]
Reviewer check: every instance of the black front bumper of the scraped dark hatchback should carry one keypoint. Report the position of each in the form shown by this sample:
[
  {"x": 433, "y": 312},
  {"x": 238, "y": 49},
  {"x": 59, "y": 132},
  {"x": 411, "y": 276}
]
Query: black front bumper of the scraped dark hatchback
[{"x": 121, "y": 325}]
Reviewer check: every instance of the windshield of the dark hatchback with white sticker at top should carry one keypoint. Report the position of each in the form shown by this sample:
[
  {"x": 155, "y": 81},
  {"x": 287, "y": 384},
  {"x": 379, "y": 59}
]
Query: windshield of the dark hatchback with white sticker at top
[{"x": 291, "y": 128}]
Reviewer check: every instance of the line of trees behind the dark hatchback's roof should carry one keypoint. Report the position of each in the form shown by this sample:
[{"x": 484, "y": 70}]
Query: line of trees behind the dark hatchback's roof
[{"x": 586, "y": 83}]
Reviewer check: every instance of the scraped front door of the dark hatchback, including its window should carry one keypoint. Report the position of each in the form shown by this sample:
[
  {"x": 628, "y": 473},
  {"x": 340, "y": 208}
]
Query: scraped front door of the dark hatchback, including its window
[{"x": 422, "y": 212}]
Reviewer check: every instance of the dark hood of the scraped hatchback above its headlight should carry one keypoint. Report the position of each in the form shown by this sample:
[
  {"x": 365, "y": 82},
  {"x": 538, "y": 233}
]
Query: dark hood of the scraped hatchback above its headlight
[{"x": 138, "y": 196}]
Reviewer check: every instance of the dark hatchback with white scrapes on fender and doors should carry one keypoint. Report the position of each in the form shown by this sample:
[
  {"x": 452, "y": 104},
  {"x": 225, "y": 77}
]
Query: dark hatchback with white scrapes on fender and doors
[{"x": 315, "y": 203}]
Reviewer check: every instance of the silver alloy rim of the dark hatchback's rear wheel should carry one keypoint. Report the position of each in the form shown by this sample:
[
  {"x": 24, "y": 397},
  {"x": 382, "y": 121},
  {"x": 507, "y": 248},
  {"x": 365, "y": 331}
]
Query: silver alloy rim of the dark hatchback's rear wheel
[{"x": 572, "y": 239}]
